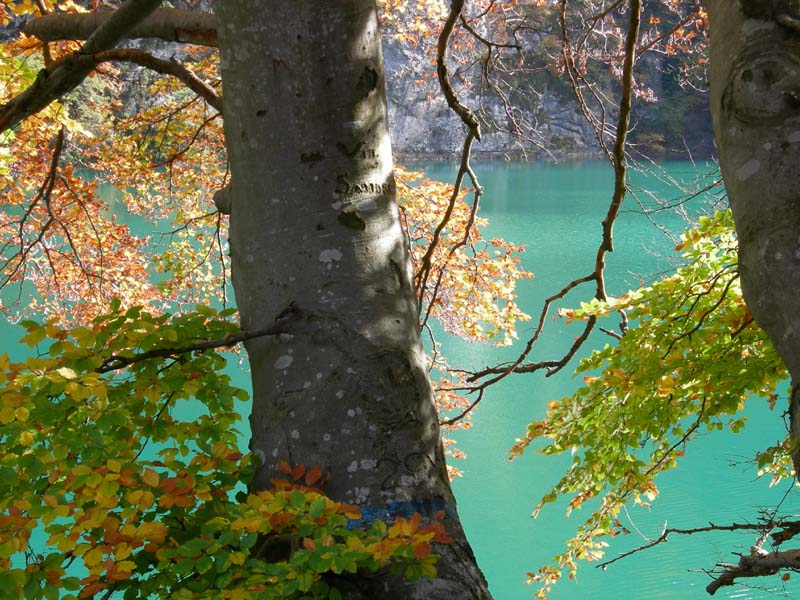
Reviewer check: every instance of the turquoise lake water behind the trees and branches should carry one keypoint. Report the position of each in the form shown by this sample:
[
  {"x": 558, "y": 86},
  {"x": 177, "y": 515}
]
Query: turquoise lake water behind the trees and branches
[{"x": 556, "y": 211}]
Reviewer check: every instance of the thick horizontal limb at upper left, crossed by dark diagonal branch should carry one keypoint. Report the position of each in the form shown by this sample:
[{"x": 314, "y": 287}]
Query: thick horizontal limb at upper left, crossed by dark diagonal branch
[{"x": 169, "y": 24}]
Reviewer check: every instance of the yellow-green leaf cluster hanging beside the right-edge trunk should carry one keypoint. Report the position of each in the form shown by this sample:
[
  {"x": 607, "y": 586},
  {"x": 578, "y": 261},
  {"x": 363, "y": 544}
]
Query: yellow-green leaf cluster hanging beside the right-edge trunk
[{"x": 690, "y": 360}]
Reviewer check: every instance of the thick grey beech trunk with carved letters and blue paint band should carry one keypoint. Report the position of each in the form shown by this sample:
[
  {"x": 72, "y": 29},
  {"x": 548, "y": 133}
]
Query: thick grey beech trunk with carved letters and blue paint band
[{"x": 315, "y": 234}]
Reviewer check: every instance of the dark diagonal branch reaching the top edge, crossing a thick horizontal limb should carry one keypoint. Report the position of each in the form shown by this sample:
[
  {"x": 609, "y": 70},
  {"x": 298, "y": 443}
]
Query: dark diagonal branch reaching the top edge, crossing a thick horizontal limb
[{"x": 61, "y": 78}]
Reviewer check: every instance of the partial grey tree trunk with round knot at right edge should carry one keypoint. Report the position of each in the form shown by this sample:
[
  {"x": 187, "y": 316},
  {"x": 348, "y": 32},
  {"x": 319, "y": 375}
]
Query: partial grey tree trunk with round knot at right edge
[{"x": 755, "y": 103}]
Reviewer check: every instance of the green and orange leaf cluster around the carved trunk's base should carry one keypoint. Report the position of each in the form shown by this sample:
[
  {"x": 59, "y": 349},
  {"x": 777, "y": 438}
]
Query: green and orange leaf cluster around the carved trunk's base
[{"x": 112, "y": 481}]
